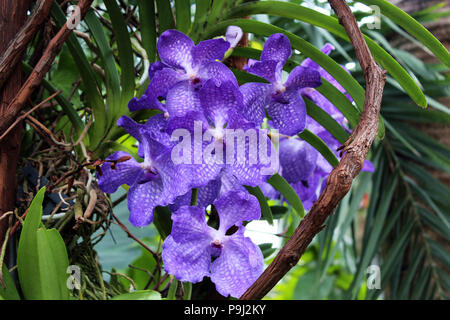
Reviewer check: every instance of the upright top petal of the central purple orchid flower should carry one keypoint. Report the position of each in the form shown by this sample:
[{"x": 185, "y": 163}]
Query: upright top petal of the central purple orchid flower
[{"x": 218, "y": 99}]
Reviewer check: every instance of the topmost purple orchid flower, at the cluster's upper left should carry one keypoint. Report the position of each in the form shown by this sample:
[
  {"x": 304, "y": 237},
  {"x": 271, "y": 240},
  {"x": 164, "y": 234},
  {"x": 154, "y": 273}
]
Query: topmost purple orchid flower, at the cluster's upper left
[{"x": 182, "y": 70}]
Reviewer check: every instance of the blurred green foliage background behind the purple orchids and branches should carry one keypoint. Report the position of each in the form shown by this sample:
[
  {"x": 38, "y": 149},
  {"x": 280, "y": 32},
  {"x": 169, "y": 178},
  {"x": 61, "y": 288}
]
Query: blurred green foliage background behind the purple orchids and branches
[{"x": 396, "y": 218}]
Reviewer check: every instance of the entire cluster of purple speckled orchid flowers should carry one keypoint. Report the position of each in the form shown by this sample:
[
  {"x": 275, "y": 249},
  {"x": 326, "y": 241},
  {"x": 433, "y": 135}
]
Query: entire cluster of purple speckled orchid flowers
[{"x": 202, "y": 179}]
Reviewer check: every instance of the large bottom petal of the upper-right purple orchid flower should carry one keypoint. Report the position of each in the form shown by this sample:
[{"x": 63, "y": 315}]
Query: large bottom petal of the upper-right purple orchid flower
[{"x": 288, "y": 113}]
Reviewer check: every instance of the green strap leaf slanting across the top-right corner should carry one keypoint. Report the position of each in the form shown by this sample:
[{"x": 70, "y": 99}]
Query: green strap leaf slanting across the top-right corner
[{"x": 413, "y": 27}]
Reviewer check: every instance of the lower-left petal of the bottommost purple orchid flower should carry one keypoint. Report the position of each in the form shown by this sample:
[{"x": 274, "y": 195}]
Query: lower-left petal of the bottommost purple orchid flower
[{"x": 187, "y": 261}]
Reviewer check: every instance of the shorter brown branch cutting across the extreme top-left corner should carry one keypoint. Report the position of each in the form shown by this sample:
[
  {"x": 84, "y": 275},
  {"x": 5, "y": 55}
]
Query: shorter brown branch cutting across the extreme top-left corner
[{"x": 13, "y": 53}]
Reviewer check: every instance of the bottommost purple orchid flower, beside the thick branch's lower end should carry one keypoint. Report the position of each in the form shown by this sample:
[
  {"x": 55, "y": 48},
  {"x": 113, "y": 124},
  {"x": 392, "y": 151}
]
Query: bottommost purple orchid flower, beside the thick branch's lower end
[{"x": 188, "y": 251}]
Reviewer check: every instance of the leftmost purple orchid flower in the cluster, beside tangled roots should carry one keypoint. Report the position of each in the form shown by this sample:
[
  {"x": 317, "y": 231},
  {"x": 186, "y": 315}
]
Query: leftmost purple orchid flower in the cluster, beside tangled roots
[{"x": 156, "y": 181}]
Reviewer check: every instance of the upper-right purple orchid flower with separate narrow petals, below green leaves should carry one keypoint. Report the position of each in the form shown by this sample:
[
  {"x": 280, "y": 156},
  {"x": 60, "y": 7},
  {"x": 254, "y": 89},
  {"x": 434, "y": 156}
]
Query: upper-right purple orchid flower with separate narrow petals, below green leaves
[{"x": 285, "y": 105}]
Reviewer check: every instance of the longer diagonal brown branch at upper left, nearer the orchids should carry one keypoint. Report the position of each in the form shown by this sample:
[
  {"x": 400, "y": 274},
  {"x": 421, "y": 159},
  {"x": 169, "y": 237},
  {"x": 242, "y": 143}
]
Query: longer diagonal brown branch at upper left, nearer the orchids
[{"x": 43, "y": 66}]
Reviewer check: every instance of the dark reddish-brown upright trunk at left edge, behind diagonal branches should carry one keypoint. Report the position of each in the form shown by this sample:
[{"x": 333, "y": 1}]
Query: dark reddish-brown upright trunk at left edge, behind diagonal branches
[{"x": 13, "y": 14}]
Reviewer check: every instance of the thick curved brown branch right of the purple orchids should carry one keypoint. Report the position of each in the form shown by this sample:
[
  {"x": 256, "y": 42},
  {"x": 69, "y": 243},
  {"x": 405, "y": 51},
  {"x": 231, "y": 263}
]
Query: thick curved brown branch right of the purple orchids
[{"x": 339, "y": 181}]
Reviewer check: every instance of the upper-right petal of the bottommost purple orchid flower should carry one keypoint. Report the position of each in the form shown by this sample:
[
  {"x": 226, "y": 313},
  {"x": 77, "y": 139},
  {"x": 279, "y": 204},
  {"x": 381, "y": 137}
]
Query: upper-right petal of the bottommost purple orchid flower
[{"x": 234, "y": 207}]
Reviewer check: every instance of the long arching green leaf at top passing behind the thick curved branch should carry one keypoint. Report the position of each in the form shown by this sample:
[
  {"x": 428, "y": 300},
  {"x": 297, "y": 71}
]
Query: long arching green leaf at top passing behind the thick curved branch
[{"x": 294, "y": 11}]
